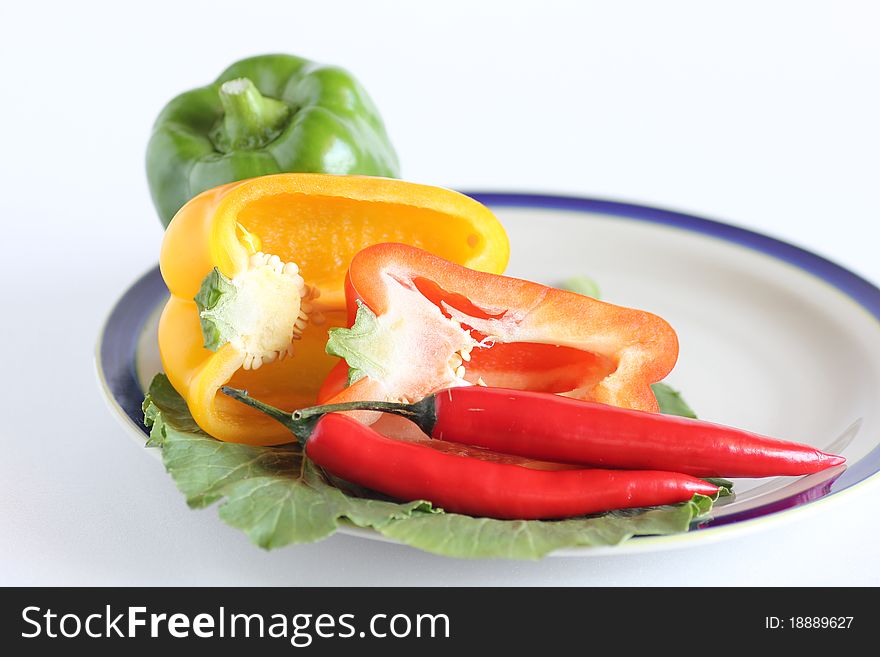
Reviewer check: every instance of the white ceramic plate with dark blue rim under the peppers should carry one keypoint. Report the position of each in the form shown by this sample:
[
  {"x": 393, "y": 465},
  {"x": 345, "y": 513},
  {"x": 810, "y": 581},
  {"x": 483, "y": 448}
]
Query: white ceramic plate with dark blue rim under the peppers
[{"x": 773, "y": 338}]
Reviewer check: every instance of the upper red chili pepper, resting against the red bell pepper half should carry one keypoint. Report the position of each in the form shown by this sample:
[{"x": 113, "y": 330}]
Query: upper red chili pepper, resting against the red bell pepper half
[{"x": 554, "y": 428}]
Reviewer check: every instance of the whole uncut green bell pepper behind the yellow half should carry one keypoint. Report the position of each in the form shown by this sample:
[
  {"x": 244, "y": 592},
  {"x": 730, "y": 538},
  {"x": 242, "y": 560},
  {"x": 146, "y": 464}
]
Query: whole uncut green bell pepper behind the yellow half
[{"x": 263, "y": 115}]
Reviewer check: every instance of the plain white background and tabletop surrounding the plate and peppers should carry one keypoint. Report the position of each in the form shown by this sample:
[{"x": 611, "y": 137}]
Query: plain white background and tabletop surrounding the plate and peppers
[{"x": 764, "y": 114}]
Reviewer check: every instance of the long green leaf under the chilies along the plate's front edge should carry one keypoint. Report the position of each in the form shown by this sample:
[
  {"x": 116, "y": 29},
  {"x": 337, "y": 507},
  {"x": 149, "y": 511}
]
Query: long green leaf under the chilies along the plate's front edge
[{"x": 278, "y": 497}]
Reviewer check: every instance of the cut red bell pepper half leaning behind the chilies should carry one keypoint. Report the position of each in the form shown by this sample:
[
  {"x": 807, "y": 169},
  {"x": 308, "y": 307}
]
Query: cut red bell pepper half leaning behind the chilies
[{"x": 419, "y": 323}]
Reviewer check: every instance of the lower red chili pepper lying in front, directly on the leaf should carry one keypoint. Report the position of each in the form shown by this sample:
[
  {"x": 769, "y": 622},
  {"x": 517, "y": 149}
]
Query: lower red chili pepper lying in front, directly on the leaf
[{"x": 463, "y": 484}]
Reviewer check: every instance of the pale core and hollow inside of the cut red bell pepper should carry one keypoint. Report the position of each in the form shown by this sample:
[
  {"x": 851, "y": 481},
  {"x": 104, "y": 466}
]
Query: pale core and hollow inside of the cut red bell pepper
[{"x": 459, "y": 349}]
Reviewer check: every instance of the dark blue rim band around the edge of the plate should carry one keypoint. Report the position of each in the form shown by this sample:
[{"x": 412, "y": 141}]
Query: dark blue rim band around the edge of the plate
[{"x": 117, "y": 343}]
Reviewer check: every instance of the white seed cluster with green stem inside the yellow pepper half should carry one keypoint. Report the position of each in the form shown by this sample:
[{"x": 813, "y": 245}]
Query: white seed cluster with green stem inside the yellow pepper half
[{"x": 258, "y": 311}]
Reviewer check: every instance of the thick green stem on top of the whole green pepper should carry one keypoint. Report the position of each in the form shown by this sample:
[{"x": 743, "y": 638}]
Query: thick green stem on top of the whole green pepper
[{"x": 251, "y": 120}]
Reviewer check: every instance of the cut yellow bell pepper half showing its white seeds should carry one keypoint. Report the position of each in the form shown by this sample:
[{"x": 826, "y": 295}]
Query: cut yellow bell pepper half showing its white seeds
[{"x": 267, "y": 258}]
